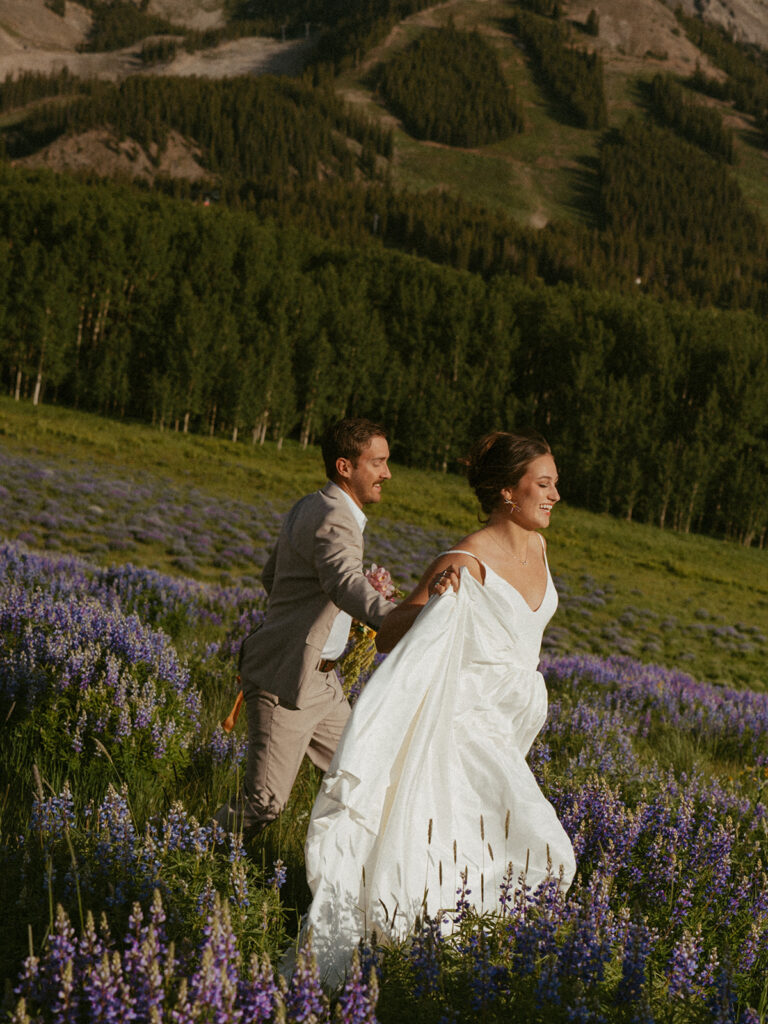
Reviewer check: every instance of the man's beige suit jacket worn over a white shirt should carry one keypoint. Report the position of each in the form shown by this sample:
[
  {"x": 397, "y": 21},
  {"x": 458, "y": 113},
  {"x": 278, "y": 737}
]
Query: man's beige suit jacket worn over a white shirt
[{"x": 315, "y": 571}]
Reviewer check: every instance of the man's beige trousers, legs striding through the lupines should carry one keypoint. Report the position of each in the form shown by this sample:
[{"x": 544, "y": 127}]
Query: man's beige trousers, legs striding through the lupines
[{"x": 279, "y": 738}]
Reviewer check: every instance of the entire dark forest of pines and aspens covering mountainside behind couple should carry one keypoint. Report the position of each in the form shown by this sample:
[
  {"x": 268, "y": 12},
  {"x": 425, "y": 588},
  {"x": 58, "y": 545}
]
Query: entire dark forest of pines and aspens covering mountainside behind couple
[{"x": 295, "y": 281}]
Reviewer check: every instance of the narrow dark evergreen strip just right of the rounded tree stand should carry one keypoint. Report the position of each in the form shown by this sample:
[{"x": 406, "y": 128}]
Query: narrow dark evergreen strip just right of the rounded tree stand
[{"x": 574, "y": 77}]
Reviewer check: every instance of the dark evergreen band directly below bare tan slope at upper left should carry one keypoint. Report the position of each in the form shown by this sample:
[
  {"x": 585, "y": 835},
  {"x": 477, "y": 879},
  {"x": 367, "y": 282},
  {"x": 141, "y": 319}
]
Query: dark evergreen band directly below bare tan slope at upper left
[{"x": 247, "y": 127}]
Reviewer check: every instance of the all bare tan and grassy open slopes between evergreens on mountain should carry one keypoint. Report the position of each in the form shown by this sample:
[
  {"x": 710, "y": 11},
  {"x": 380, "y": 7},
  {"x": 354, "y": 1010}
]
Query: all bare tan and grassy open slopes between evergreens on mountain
[{"x": 545, "y": 175}]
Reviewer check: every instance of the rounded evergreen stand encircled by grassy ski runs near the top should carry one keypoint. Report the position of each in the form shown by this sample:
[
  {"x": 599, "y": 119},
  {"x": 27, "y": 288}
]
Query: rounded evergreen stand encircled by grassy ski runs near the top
[{"x": 448, "y": 87}]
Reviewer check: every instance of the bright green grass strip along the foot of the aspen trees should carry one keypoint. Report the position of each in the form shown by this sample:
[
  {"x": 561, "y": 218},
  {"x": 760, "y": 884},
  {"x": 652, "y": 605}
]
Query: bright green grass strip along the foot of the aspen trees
[{"x": 671, "y": 595}]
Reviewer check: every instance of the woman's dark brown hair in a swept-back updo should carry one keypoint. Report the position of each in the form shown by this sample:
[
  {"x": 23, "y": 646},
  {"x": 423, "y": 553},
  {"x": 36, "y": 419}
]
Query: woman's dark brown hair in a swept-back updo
[{"x": 500, "y": 460}]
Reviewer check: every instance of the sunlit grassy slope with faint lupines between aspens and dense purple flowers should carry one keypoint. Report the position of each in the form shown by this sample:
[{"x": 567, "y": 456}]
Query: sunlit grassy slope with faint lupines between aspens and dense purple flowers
[{"x": 210, "y": 509}]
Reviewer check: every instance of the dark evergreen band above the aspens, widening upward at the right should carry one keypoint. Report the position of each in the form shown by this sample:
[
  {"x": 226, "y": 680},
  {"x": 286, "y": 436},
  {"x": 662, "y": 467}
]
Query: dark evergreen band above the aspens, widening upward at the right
[{"x": 667, "y": 215}]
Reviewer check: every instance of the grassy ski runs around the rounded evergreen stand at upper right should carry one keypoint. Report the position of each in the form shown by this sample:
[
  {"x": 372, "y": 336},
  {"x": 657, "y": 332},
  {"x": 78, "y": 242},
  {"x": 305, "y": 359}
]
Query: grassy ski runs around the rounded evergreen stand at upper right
[{"x": 543, "y": 174}]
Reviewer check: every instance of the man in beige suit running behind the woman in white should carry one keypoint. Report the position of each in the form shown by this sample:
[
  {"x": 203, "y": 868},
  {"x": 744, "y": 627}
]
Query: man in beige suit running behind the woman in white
[{"x": 316, "y": 585}]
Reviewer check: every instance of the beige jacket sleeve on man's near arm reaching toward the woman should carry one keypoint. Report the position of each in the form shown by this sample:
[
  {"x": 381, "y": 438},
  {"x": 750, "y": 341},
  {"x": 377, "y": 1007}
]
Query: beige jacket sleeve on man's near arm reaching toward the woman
[{"x": 338, "y": 562}]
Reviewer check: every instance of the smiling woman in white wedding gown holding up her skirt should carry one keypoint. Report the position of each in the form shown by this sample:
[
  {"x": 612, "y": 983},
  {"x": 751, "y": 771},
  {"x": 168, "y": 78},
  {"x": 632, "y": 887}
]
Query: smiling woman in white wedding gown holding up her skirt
[{"x": 430, "y": 787}]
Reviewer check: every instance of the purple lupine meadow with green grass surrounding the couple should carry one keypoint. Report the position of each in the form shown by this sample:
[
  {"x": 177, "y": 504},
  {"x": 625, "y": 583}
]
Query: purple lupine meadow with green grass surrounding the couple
[{"x": 124, "y": 902}]
